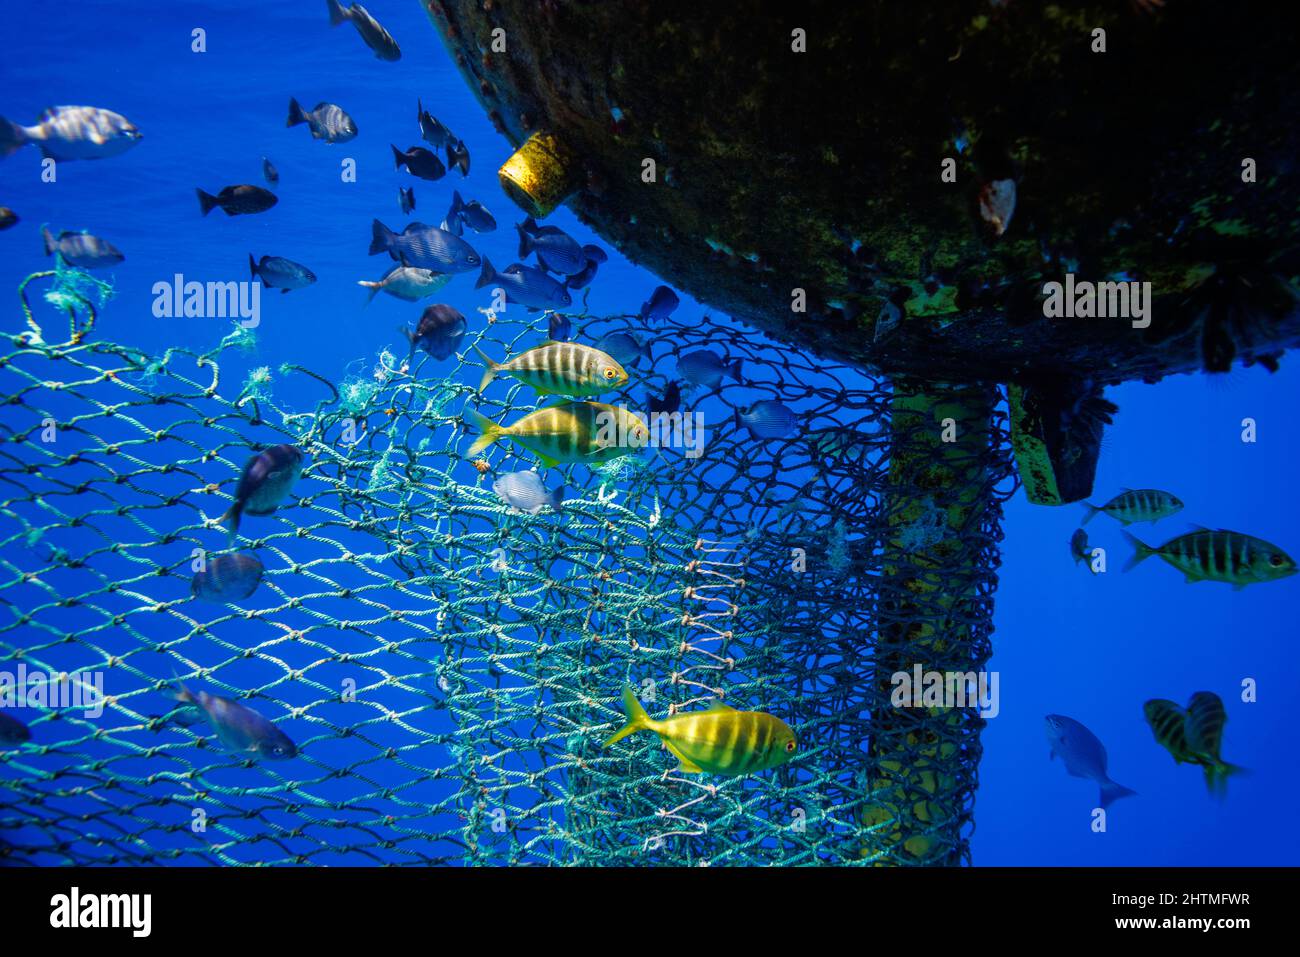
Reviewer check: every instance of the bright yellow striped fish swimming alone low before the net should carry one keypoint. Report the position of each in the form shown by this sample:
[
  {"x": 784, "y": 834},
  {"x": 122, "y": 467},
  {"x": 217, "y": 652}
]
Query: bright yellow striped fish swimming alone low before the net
[{"x": 721, "y": 741}]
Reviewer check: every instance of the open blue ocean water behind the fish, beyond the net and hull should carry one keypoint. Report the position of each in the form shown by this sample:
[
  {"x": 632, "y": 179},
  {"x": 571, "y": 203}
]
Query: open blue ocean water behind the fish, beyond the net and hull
[{"x": 1094, "y": 648}]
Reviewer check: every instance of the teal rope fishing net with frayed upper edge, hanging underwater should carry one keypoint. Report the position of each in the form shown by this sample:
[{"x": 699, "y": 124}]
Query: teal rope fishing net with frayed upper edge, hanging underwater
[{"x": 449, "y": 668}]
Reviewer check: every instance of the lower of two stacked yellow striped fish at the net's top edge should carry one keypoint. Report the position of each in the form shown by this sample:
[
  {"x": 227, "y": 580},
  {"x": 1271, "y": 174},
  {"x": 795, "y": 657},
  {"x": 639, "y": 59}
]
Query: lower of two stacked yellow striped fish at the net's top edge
[{"x": 587, "y": 432}]
